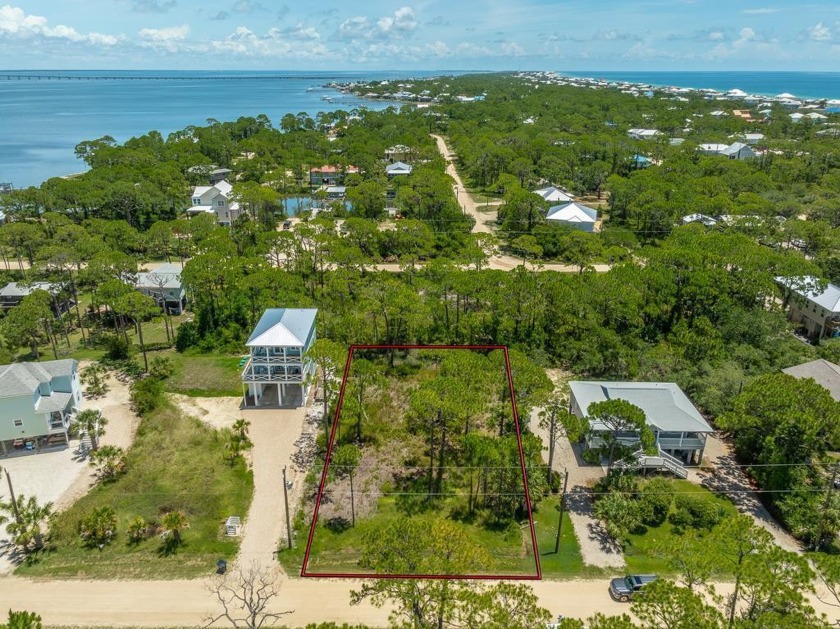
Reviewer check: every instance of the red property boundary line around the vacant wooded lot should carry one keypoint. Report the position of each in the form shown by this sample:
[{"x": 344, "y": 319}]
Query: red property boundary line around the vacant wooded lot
[{"x": 364, "y": 575}]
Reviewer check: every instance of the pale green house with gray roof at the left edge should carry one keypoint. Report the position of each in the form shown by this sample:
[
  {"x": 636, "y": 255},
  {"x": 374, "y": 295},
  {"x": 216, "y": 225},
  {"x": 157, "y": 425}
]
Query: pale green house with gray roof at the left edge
[{"x": 37, "y": 404}]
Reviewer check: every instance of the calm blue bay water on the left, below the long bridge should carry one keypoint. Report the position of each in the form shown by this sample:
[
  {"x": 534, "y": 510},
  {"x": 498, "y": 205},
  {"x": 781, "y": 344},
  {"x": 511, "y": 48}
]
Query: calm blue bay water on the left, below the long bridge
[{"x": 42, "y": 119}]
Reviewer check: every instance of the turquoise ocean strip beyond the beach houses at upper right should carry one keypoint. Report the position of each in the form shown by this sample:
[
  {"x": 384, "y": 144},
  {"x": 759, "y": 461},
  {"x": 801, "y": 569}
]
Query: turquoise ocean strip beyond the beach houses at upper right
[{"x": 800, "y": 84}]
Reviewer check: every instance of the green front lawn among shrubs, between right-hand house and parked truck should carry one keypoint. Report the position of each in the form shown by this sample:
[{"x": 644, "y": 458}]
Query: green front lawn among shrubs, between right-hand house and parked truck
[{"x": 643, "y": 553}]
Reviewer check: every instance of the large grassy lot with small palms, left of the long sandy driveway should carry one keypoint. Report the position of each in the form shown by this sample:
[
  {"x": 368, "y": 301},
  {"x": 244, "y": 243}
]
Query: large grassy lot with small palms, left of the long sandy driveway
[{"x": 176, "y": 463}]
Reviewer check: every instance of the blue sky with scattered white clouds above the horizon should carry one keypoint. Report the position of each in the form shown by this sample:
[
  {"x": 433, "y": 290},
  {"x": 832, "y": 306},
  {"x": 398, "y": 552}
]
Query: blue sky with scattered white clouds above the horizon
[{"x": 425, "y": 34}]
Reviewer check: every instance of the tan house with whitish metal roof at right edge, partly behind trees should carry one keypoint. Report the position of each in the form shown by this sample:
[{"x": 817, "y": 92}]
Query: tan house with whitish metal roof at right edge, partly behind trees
[{"x": 815, "y": 307}]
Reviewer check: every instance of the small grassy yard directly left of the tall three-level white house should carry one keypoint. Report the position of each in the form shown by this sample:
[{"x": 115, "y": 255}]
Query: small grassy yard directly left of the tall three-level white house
[{"x": 205, "y": 376}]
